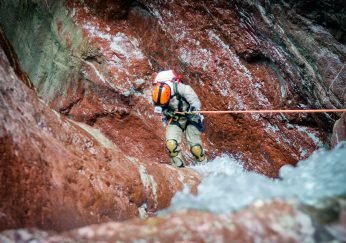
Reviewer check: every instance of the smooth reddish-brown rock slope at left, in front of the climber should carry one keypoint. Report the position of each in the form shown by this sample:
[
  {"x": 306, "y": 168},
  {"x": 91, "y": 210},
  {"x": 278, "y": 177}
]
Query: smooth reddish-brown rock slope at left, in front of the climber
[{"x": 57, "y": 174}]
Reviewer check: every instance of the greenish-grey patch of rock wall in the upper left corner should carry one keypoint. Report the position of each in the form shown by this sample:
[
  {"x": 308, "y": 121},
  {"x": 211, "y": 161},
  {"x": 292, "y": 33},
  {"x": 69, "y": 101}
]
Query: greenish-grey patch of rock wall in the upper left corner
[{"x": 48, "y": 44}]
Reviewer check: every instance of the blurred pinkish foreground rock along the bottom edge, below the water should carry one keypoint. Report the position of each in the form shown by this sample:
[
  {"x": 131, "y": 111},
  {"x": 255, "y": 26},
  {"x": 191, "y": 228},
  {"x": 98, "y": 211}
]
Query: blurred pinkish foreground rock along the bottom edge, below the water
[{"x": 264, "y": 221}]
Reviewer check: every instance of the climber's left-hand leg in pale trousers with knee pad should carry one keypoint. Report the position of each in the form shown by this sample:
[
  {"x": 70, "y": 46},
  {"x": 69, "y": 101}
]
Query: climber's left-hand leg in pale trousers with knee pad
[{"x": 173, "y": 140}]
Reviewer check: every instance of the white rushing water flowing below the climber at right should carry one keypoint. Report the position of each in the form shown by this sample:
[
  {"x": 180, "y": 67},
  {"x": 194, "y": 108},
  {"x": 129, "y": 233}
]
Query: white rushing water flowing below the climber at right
[{"x": 226, "y": 186}]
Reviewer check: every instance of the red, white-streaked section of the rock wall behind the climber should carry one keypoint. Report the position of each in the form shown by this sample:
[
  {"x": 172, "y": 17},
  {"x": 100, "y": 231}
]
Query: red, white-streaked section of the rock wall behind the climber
[{"x": 220, "y": 56}]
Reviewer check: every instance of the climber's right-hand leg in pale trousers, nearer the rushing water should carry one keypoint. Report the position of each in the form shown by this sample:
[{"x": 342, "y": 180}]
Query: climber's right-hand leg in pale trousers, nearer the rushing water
[{"x": 193, "y": 137}]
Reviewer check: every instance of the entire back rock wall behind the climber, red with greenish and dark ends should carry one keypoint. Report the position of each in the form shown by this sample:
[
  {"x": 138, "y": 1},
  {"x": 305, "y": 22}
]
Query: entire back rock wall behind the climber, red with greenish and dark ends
[{"x": 236, "y": 55}]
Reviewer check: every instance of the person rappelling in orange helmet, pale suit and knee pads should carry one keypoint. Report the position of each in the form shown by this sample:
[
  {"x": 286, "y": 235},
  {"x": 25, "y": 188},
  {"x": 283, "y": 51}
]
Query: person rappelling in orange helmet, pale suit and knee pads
[{"x": 170, "y": 96}]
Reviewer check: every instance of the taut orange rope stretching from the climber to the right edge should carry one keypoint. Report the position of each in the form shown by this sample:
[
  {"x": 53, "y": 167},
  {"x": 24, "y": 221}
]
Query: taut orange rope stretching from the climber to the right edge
[{"x": 265, "y": 111}]
